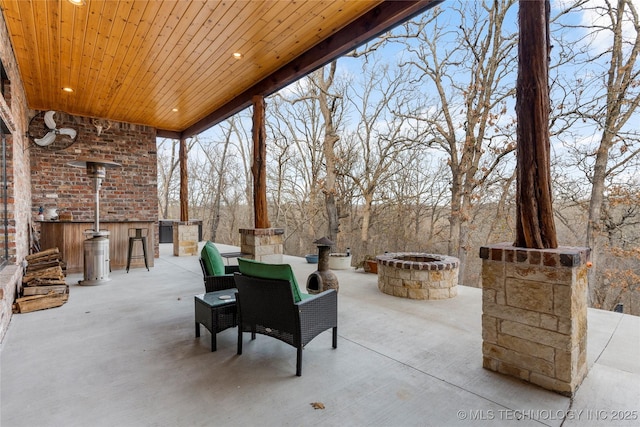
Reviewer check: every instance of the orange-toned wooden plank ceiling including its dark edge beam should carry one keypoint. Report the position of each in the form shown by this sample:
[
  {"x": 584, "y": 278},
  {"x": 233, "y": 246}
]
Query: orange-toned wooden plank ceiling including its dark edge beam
[{"x": 170, "y": 64}]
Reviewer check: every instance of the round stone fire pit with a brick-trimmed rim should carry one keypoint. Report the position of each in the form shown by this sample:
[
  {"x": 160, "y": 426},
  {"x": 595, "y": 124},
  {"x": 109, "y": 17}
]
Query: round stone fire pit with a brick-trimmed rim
[{"x": 418, "y": 275}]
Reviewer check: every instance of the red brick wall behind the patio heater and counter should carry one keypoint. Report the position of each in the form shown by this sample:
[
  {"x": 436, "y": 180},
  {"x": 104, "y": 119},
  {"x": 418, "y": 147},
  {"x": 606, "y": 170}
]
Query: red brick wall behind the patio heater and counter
[{"x": 128, "y": 192}]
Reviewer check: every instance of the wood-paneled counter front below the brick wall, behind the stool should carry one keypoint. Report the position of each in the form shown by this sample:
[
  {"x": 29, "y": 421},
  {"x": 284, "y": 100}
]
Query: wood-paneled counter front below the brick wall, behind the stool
[{"x": 69, "y": 237}]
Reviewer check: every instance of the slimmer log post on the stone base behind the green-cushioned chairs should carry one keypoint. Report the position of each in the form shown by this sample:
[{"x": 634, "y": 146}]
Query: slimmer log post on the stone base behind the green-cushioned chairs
[{"x": 259, "y": 166}]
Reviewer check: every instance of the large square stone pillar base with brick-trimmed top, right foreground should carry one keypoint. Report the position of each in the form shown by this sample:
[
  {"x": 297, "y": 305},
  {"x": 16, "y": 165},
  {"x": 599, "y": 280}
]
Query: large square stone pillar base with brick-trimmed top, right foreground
[{"x": 534, "y": 314}]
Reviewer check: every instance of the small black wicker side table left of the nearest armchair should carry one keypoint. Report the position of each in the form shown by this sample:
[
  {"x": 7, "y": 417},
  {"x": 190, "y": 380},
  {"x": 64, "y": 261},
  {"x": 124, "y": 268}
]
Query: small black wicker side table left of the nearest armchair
[{"x": 215, "y": 313}]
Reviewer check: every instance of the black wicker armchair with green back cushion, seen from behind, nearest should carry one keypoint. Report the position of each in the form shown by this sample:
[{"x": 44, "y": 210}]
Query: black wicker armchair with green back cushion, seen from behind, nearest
[{"x": 267, "y": 307}]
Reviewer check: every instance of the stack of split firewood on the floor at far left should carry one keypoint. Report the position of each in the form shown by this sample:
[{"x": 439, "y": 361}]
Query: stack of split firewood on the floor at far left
[{"x": 43, "y": 285}]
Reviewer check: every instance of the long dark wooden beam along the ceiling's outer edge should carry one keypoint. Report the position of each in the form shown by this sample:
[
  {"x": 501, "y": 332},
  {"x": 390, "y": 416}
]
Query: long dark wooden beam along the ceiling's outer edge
[{"x": 378, "y": 20}]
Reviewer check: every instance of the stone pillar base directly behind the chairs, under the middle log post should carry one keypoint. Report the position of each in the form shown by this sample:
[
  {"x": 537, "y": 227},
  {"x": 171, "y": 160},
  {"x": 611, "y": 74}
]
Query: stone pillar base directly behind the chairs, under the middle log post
[{"x": 262, "y": 244}]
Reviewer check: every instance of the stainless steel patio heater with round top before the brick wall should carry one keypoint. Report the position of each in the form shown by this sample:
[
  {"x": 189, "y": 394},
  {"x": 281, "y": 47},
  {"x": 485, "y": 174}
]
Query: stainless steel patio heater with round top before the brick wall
[{"x": 96, "y": 244}]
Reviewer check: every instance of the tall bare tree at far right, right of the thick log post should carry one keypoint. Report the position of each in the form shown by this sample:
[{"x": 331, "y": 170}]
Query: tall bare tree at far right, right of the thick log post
[{"x": 605, "y": 141}]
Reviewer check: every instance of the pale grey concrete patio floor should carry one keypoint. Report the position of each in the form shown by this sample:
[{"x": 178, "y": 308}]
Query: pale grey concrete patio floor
[{"x": 124, "y": 354}]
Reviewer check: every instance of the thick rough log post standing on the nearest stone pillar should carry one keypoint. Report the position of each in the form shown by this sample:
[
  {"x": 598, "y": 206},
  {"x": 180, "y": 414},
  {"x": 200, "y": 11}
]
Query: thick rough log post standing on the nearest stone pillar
[{"x": 535, "y": 226}]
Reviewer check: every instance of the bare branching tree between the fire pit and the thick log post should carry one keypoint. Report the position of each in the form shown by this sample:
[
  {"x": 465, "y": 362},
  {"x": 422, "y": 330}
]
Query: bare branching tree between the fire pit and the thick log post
[{"x": 470, "y": 69}]
